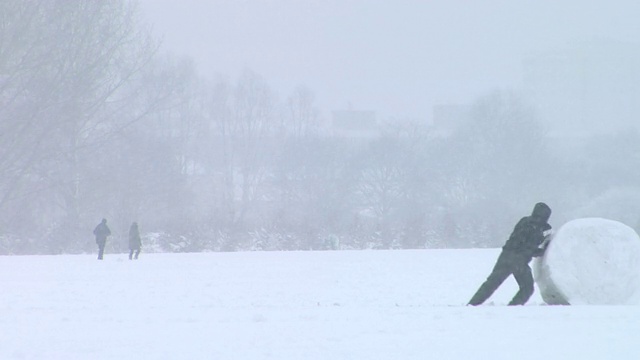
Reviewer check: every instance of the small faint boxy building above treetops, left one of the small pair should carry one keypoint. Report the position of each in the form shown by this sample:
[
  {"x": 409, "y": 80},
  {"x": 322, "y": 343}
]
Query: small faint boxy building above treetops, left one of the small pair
[{"x": 354, "y": 124}]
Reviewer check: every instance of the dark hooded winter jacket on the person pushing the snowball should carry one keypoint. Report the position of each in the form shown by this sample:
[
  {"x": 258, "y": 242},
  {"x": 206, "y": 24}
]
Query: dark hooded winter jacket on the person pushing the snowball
[{"x": 528, "y": 234}]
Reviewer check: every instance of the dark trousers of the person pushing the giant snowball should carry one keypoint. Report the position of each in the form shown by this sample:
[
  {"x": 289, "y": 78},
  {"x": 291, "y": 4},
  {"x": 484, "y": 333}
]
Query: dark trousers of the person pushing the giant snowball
[{"x": 508, "y": 263}]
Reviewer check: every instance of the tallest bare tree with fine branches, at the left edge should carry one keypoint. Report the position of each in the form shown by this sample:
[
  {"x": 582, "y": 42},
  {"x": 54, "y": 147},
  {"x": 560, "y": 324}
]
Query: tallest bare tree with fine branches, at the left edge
[{"x": 67, "y": 93}]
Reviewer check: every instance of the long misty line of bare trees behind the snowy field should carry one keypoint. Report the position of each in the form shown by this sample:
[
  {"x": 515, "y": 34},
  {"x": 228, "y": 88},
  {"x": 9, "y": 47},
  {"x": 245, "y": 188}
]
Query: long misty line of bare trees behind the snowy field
[{"x": 96, "y": 121}]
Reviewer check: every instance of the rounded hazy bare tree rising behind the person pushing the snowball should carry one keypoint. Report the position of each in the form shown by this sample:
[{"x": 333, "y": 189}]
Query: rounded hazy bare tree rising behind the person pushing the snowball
[{"x": 492, "y": 167}]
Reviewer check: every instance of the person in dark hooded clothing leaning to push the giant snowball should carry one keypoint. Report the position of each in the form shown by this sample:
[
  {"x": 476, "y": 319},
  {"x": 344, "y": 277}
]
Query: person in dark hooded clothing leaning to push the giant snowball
[{"x": 529, "y": 239}]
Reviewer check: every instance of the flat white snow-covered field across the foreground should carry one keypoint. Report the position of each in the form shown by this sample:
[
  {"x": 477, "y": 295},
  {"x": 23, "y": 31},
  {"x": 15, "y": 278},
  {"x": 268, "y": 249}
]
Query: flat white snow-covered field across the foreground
[{"x": 290, "y": 305}]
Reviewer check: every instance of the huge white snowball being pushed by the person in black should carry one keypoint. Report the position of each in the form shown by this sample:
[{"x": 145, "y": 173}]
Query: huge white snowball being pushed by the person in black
[{"x": 590, "y": 261}]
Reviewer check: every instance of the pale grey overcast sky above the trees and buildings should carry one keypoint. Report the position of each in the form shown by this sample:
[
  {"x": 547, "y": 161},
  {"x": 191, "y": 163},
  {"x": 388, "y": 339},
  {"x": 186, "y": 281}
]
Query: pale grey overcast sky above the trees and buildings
[{"x": 397, "y": 57}]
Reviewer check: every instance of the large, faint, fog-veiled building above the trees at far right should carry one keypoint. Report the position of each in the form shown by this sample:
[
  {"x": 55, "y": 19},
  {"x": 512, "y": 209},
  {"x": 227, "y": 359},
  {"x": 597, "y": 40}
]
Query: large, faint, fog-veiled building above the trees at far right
[{"x": 587, "y": 88}]
